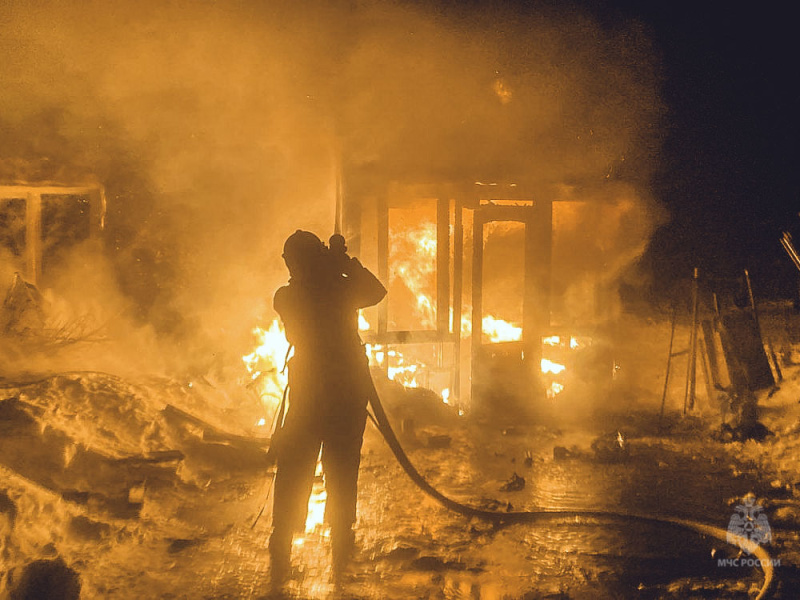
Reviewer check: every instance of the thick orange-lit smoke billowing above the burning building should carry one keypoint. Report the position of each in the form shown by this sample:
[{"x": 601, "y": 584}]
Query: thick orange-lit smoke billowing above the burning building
[{"x": 216, "y": 127}]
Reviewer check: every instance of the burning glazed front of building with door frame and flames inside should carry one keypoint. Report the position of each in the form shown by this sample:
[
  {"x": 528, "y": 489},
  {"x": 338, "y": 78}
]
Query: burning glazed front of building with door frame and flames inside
[{"x": 483, "y": 323}]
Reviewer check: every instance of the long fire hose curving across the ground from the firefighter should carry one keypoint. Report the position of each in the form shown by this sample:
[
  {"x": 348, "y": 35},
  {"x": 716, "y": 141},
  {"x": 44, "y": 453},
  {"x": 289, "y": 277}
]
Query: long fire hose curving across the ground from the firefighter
[{"x": 381, "y": 421}]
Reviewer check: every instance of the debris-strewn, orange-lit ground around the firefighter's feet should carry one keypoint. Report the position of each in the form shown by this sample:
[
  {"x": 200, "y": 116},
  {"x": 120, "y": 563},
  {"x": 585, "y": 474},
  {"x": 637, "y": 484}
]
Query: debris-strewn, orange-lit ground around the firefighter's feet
[{"x": 151, "y": 487}]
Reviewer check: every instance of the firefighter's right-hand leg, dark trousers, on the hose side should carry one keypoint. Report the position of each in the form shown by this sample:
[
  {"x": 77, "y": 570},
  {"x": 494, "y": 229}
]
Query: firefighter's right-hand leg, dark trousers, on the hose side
[{"x": 341, "y": 456}]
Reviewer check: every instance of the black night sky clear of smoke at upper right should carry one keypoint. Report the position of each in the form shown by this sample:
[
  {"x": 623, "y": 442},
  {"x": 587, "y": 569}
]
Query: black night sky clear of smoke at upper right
[{"x": 728, "y": 172}]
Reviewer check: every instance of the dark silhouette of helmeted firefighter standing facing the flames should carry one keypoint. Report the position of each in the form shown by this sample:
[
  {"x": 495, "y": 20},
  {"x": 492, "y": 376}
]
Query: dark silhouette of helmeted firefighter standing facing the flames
[{"x": 329, "y": 385}]
